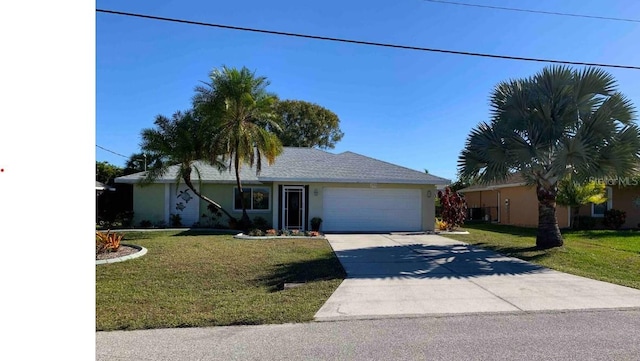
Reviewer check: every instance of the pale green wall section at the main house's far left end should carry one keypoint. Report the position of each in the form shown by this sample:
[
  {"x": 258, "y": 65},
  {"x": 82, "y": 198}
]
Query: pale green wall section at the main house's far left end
[{"x": 148, "y": 203}]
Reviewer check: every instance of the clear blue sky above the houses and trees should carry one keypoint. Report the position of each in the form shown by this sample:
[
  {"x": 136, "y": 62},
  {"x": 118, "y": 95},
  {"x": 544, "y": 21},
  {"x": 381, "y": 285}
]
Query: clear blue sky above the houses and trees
[{"x": 411, "y": 108}]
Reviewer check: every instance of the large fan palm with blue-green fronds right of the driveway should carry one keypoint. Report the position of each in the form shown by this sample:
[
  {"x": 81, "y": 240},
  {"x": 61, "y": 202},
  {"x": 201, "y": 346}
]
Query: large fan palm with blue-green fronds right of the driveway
[{"x": 557, "y": 123}]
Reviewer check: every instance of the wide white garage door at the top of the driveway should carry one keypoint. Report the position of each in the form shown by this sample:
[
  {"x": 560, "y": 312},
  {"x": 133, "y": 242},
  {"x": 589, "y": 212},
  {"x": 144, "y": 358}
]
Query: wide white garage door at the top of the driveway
[{"x": 371, "y": 209}]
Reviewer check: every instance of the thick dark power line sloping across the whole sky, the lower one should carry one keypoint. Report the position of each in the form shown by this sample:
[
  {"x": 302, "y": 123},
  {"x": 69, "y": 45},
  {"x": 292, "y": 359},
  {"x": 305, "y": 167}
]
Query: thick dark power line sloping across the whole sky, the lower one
[{"x": 361, "y": 42}]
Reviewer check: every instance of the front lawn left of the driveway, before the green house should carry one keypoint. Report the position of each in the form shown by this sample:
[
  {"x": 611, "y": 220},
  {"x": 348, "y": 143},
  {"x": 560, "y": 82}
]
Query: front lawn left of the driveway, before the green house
[{"x": 192, "y": 279}]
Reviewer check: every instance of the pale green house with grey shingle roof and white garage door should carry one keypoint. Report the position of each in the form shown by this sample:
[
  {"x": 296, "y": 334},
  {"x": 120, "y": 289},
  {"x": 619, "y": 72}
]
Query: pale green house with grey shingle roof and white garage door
[{"x": 349, "y": 191}]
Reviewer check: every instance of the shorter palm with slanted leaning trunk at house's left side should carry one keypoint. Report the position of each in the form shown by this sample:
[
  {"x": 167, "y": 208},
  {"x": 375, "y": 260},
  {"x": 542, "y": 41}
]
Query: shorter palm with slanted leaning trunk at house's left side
[{"x": 181, "y": 140}]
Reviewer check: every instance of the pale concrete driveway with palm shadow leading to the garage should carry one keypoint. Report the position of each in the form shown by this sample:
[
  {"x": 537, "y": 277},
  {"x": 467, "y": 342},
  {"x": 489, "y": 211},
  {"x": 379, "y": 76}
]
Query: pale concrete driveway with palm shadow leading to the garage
[{"x": 416, "y": 274}]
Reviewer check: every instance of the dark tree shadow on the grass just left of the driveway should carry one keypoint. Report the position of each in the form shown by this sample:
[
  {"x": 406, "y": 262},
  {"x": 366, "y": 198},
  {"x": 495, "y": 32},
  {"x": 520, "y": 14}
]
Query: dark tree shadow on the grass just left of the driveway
[{"x": 319, "y": 269}]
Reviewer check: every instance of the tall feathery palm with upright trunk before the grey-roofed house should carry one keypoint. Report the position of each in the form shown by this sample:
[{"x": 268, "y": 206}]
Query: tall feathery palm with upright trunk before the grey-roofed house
[{"x": 243, "y": 111}]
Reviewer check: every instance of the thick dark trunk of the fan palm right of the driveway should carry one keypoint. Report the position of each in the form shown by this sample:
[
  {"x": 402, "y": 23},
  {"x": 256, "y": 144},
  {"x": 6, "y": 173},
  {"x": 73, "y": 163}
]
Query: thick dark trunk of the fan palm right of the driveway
[{"x": 548, "y": 231}]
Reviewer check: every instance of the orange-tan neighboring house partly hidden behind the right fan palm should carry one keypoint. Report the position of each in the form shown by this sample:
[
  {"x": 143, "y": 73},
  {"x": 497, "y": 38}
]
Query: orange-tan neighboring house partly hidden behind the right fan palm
[{"x": 513, "y": 202}]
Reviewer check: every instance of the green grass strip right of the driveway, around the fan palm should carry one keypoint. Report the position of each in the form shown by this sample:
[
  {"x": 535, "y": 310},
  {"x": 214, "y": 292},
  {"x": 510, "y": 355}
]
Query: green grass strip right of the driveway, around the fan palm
[{"x": 611, "y": 256}]
